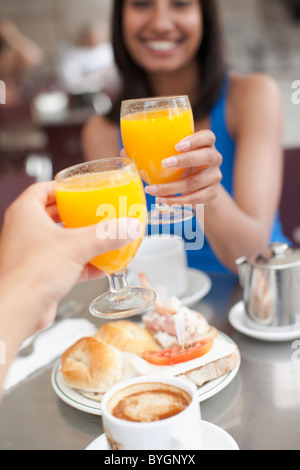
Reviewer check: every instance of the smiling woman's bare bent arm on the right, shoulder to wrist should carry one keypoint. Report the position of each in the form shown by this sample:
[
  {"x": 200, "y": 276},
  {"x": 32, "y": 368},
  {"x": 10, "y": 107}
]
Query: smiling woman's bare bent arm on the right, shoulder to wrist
[{"x": 258, "y": 175}]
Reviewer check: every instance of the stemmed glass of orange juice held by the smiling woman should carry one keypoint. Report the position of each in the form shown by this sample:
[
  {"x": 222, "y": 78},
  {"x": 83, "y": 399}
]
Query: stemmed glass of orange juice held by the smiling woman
[{"x": 151, "y": 128}]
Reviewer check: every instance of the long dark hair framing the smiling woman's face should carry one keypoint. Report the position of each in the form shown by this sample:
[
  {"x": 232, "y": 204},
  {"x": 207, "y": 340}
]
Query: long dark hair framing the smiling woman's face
[{"x": 210, "y": 56}]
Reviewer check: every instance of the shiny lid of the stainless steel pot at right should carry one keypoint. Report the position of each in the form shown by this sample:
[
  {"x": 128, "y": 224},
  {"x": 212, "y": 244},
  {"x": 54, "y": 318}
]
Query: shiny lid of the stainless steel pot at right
[{"x": 277, "y": 256}]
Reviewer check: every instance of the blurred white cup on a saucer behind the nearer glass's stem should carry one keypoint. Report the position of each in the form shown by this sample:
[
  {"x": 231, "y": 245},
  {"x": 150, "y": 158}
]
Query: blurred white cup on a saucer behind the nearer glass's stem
[{"x": 163, "y": 259}]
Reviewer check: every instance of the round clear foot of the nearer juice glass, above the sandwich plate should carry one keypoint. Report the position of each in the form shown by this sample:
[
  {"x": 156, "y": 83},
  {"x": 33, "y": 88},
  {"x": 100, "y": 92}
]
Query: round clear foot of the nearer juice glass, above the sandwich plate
[{"x": 123, "y": 304}]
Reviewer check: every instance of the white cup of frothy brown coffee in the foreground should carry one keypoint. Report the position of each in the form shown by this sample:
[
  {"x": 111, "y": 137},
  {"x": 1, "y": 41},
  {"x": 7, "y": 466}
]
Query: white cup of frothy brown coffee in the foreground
[{"x": 149, "y": 413}]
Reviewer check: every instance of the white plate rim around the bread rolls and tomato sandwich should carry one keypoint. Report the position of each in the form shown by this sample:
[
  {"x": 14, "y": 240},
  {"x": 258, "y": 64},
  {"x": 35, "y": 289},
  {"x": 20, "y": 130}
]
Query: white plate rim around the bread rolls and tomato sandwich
[{"x": 76, "y": 400}]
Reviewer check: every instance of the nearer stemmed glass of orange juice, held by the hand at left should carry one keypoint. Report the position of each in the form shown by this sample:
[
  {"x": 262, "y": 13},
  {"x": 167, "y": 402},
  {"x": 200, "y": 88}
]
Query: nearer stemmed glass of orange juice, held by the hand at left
[{"x": 104, "y": 191}]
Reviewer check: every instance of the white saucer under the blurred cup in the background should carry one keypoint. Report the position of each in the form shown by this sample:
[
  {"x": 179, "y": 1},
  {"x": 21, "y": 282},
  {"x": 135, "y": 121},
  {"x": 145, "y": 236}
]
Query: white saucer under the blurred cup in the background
[{"x": 199, "y": 285}]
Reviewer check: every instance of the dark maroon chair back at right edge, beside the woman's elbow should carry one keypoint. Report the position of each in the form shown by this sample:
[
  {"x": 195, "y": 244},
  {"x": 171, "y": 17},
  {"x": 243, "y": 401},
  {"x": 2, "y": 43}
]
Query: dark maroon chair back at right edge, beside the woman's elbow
[{"x": 290, "y": 202}]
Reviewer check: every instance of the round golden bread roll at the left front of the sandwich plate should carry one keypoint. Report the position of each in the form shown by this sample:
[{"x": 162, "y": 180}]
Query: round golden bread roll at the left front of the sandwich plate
[{"x": 91, "y": 364}]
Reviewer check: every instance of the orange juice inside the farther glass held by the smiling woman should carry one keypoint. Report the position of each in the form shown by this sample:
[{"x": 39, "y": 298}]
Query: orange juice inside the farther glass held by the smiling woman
[{"x": 149, "y": 137}]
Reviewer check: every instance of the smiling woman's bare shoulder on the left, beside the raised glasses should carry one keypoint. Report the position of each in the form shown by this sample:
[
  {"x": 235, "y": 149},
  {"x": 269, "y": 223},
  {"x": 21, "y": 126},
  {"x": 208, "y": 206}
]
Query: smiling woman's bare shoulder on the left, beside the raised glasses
[{"x": 100, "y": 138}]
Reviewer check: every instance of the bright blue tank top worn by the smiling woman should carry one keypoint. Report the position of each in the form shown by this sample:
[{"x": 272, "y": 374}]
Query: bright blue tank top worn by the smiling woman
[{"x": 199, "y": 253}]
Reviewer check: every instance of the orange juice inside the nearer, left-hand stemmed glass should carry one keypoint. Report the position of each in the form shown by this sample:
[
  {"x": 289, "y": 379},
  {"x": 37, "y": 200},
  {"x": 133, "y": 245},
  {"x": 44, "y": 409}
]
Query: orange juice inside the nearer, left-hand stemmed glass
[{"x": 90, "y": 199}]
